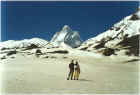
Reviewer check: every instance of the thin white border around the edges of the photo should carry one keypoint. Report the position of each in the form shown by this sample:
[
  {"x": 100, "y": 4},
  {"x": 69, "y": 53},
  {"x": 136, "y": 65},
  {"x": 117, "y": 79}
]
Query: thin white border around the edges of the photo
[{"x": 60, "y": 94}]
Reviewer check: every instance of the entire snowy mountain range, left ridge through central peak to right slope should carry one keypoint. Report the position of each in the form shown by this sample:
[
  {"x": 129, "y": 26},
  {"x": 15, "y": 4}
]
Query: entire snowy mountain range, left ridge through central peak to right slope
[{"x": 120, "y": 39}]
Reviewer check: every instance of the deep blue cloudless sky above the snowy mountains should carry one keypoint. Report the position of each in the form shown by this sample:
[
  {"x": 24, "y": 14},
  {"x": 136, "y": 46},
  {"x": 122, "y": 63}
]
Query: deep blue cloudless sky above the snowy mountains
[{"x": 28, "y": 19}]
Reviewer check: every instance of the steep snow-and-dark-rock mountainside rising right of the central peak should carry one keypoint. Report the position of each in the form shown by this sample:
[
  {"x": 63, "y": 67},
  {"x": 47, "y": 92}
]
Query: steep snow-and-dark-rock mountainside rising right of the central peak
[{"x": 123, "y": 34}]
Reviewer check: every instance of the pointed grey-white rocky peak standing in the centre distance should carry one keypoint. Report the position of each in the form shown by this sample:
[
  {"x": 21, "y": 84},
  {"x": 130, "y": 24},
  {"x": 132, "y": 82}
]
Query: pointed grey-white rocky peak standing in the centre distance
[{"x": 66, "y": 35}]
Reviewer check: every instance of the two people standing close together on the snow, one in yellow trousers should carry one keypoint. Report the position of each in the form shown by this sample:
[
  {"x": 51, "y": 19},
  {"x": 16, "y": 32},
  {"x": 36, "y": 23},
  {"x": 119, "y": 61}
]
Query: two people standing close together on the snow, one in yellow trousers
[{"x": 74, "y": 70}]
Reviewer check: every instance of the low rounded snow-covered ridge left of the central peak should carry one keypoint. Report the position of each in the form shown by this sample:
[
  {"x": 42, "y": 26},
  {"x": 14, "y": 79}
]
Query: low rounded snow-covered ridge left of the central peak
[{"x": 10, "y": 44}]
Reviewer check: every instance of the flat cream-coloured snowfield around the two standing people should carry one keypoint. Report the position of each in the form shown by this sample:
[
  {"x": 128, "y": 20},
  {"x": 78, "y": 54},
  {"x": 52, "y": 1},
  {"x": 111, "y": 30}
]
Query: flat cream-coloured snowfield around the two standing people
[{"x": 29, "y": 74}]
